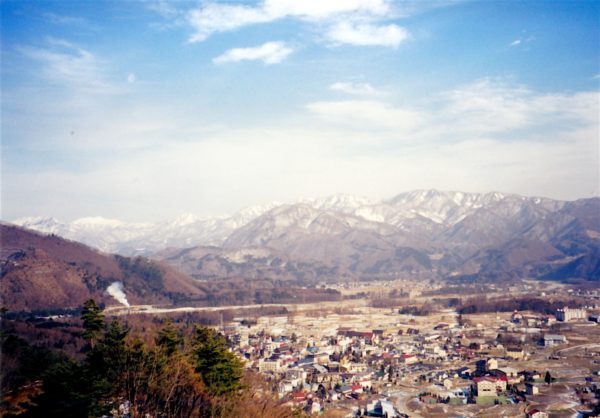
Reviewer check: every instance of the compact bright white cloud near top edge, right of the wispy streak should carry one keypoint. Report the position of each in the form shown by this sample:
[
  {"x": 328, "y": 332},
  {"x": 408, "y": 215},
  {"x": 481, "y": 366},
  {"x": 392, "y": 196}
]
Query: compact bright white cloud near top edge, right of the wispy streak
[{"x": 363, "y": 34}]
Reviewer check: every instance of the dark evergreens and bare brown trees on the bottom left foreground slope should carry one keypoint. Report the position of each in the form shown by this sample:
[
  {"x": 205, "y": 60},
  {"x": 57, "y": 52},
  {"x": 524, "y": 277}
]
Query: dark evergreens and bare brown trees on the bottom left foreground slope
[{"x": 117, "y": 372}]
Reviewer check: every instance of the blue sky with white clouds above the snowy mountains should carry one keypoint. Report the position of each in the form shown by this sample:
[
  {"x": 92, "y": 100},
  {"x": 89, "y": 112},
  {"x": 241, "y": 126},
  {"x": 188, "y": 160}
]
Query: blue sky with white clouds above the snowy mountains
[{"x": 144, "y": 110}]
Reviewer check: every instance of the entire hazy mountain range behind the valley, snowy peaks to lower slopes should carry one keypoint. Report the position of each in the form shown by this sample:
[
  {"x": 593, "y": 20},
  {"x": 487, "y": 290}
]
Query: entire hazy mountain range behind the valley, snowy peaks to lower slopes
[{"x": 424, "y": 233}]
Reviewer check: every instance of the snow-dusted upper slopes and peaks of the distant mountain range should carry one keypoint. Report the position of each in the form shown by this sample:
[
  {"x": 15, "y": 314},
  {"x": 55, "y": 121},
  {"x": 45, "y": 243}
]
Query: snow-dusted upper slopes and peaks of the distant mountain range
[{"x": 453, "y": 216}]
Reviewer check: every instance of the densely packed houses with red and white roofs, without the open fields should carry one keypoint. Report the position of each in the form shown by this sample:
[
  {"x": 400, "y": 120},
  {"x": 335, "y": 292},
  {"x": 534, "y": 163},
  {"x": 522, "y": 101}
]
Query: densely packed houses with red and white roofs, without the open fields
[{"x": 354, "y": 369}]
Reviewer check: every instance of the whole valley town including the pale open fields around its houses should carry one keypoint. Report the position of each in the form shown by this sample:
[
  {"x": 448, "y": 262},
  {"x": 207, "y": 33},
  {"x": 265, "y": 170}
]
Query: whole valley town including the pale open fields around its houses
[{"x": 351, "y": 359}]
